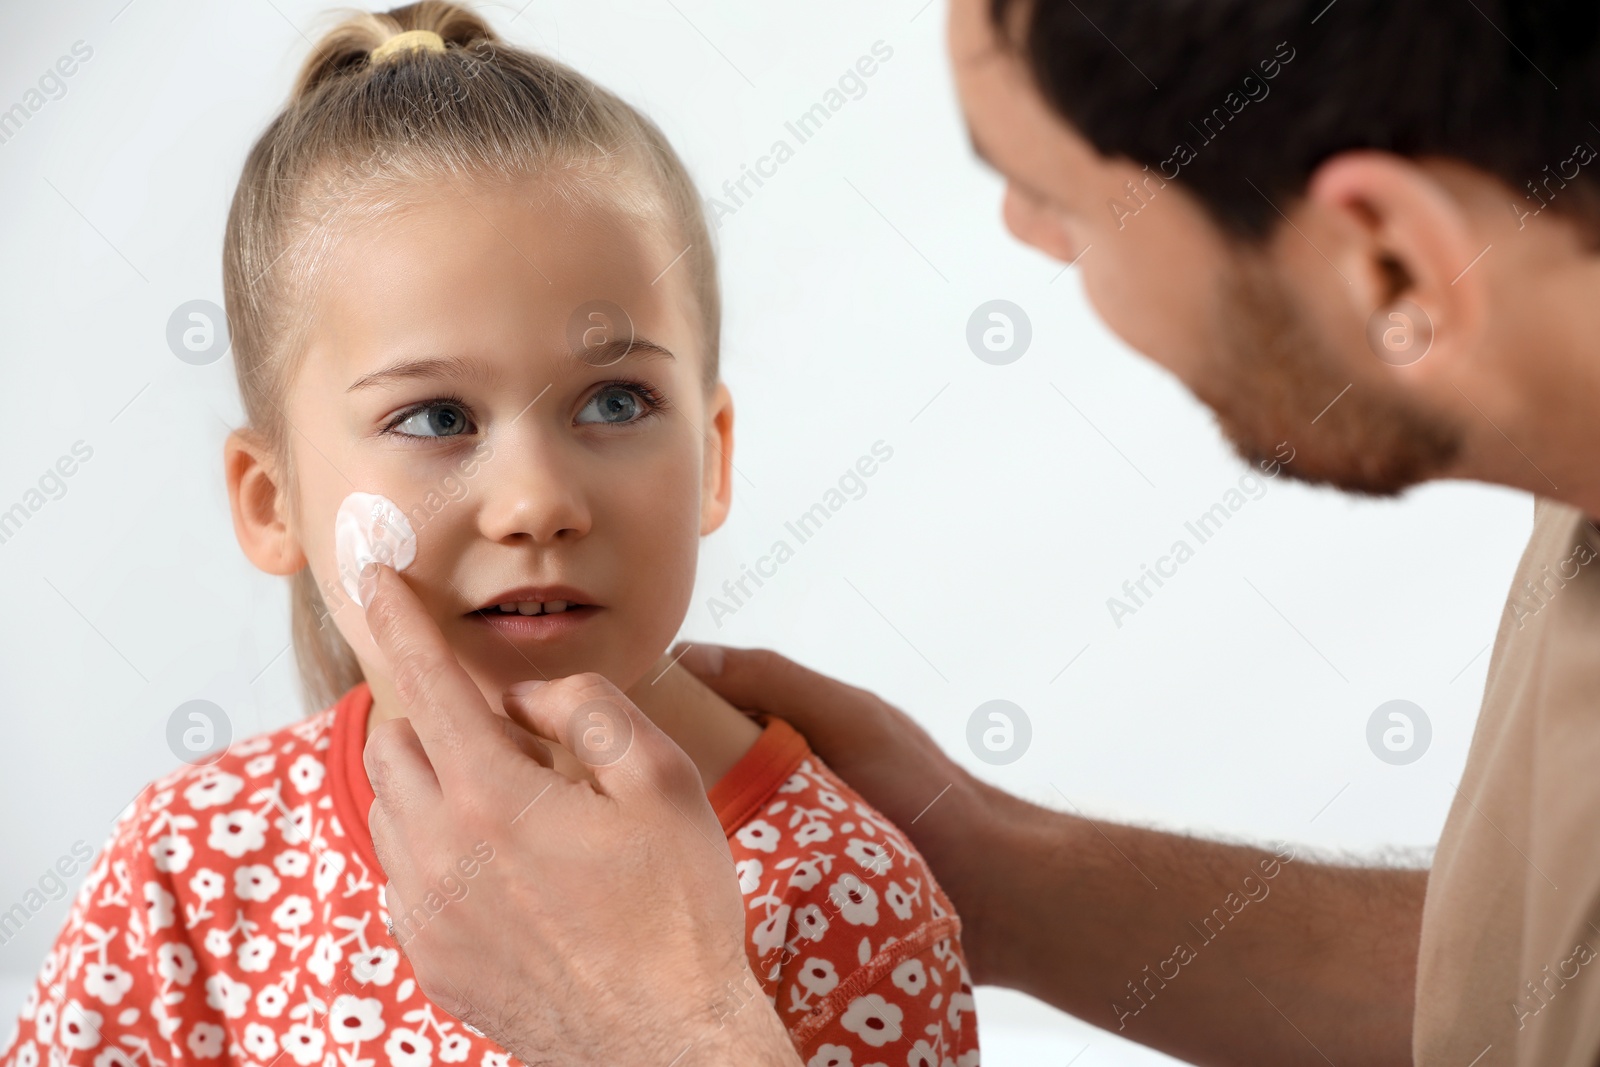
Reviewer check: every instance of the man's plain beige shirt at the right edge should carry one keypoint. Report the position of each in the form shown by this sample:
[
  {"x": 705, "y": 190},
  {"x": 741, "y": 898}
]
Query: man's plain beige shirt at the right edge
[{"x": 1510, "y": 969}]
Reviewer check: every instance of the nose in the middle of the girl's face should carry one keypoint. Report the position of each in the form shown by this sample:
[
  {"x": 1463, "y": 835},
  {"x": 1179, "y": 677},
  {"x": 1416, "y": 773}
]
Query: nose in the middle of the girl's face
[{"x": 532, "y": 494}]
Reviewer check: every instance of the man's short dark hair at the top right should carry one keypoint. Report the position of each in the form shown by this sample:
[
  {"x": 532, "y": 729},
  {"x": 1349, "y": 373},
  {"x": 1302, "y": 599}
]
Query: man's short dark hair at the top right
[{"x": 1511, "y": 87}]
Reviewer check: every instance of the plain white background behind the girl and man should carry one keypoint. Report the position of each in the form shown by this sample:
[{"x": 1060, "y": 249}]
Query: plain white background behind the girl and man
[{"x": 975, "y": 567}]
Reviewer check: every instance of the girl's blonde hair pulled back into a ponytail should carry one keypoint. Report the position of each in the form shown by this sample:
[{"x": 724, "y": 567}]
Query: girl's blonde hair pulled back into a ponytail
[{"x": 356, "y": 140}]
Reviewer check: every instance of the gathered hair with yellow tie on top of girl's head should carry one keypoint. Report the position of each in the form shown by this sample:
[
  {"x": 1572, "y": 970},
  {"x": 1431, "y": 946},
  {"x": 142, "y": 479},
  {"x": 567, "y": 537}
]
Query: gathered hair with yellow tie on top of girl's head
[{"x": 372, "y": 39}]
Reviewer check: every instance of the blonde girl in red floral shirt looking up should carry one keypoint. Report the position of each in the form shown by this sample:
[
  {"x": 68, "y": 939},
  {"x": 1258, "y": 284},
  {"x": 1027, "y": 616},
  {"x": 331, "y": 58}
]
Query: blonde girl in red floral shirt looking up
[{"x": 466, "y": 279}]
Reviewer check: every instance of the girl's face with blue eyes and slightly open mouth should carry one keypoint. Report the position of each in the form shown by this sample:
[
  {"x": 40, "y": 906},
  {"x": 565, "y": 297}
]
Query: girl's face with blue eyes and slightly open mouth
[{"x": 470, "y": 359}]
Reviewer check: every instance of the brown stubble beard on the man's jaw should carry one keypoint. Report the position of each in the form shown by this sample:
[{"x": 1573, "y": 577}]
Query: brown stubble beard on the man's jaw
[{"x": 1274, "y": 375}]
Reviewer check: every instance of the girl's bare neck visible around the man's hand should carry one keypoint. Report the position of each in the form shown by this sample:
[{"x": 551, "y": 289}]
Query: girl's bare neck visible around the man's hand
[{"x": 713, "y": 733}]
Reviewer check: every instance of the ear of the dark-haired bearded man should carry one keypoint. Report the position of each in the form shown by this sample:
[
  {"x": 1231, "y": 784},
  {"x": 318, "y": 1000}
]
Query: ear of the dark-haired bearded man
[{"x": 1404, "y": 236}]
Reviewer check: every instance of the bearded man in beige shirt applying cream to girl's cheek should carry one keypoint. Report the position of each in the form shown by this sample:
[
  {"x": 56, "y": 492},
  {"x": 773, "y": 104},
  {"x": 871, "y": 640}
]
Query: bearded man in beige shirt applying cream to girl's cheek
[{"x": 1385, "y": 209}]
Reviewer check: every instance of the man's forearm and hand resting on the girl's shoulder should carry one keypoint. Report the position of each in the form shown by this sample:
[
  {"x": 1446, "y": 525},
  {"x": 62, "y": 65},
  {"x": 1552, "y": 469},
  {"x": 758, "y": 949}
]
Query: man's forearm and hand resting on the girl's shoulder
[{"x": 1078, "y": 913}]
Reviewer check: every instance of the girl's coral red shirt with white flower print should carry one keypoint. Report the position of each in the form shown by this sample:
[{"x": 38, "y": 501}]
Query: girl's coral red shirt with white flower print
[{"x": 236, "y": 917}]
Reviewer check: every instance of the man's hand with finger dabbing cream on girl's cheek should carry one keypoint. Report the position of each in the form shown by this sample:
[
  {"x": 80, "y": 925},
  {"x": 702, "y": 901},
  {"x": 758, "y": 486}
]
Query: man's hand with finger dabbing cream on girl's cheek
[{"x": 601, "y": 925}]
